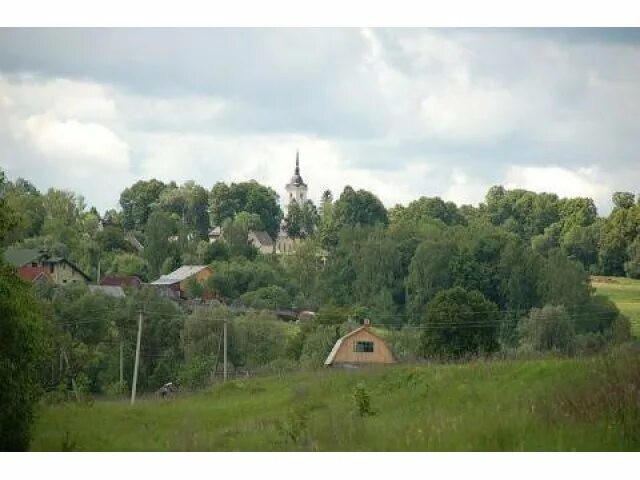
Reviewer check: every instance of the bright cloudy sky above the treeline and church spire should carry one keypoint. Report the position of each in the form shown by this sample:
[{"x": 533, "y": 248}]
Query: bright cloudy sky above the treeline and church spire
[{"x": 402, "y": 113}]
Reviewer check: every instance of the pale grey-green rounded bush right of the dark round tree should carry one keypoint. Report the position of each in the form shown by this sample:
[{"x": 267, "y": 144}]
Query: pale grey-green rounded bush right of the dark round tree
[{"x": 548, "y": 328}]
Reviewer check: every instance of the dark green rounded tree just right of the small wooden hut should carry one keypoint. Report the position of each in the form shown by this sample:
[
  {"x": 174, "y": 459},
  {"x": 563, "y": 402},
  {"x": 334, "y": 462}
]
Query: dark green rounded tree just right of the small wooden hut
[{"x": 458, "y": 322}]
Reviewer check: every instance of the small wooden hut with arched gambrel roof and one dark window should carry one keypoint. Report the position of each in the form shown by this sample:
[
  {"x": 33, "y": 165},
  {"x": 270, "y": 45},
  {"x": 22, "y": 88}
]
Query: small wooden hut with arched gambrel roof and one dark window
[{"x": 359, "y": 347}]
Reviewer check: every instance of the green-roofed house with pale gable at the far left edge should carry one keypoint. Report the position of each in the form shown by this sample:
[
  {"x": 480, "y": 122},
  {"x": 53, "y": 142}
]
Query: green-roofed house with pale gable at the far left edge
[{"x": 60, "y": 270}]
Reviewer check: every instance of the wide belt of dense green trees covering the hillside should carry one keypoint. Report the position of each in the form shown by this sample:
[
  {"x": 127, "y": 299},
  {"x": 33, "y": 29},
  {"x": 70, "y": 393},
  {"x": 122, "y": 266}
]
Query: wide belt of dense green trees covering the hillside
[{"x": 440, "y": 281}]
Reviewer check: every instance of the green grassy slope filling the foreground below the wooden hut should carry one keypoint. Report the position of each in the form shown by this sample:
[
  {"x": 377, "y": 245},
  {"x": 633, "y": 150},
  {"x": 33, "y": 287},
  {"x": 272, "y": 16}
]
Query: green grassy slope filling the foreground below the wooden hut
[{"x": 500, "y": 405}]
